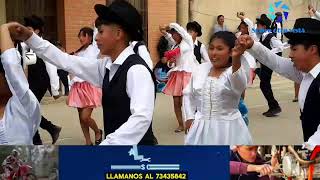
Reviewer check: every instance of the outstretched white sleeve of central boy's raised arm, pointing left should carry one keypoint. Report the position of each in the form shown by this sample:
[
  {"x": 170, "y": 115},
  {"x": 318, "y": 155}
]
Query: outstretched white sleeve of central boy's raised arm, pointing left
[{"x": 88, "y": 69}]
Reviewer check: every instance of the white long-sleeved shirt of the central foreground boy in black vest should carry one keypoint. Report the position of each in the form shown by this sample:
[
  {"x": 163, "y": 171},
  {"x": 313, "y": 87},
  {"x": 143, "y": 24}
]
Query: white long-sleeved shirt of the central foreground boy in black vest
[{"x": 140, "y": 86}]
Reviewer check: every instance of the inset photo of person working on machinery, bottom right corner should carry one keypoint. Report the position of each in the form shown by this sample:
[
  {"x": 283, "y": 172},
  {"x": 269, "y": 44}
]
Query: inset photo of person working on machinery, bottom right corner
[{"x": 279, "y": 162}]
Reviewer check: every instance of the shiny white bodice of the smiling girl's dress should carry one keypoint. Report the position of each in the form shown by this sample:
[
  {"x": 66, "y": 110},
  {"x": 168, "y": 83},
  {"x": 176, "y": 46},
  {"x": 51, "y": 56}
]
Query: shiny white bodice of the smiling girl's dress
[{"x": 228, "y": 89}]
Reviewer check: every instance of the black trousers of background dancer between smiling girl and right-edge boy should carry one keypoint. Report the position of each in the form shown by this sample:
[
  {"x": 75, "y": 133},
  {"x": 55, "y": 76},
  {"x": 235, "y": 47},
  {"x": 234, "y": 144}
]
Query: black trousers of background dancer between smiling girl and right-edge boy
[{"x": 265, "y": 75}]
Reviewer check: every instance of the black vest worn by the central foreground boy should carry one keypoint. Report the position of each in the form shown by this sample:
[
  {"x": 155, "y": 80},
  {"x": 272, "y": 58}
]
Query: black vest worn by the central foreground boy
[{"x": 116, "y": 102}]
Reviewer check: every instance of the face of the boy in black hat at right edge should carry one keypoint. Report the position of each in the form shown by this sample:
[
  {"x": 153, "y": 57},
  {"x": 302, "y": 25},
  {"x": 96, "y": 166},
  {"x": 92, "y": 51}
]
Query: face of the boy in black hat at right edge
[{"x": 301, "y": 56}]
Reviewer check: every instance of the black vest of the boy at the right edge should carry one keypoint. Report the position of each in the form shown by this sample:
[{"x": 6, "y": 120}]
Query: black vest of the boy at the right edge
[{"x": 310, "y": 117}]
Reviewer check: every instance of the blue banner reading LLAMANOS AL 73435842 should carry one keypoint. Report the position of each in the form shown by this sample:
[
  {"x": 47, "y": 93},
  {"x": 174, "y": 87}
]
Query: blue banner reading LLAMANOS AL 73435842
[{"x": 144, "y": 162}]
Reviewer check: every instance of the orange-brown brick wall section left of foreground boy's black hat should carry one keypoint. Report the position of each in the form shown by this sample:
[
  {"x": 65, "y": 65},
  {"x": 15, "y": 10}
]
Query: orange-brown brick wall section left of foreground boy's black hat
[{"x": 72, "y": 16}]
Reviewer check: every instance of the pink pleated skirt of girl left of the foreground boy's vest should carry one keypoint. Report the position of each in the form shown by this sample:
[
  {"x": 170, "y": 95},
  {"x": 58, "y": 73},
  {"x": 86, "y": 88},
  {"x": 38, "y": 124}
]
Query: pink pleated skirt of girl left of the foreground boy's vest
[{"x": 84, "y": 95}]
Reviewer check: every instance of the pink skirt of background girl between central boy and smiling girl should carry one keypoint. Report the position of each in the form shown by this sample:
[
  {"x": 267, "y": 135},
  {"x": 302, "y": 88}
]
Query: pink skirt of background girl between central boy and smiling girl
[{"x": 178, "y": 80}]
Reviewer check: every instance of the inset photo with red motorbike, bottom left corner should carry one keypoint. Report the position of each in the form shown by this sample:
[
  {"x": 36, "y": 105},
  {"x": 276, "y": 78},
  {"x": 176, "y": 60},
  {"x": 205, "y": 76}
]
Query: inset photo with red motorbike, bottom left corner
[{"x": 29, "y": 162}]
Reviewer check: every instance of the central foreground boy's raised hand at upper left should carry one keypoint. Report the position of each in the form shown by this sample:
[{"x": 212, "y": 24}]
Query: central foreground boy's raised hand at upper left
[{"x": 19, "y": 32}]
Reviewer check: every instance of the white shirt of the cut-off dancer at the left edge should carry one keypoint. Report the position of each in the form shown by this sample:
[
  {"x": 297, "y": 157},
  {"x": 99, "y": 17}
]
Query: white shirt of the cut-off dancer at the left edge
[{"x": 22, "y": 113}]
